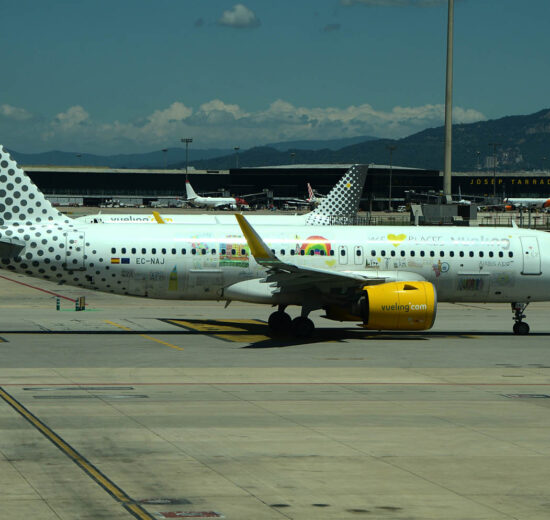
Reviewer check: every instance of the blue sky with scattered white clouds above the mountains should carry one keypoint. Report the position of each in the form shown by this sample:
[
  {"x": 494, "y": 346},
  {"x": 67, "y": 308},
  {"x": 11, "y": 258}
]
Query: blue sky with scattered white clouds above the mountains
[{"x": 123, "y": 76}]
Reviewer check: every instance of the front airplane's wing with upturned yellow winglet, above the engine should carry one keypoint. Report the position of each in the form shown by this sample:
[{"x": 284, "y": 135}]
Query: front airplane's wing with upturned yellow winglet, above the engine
[{"x": 290, "y": 276}]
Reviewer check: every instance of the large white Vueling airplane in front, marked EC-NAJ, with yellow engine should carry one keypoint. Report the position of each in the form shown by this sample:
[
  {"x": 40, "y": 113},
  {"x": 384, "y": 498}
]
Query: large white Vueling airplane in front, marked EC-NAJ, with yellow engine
[{"x": 385, "y": 278}]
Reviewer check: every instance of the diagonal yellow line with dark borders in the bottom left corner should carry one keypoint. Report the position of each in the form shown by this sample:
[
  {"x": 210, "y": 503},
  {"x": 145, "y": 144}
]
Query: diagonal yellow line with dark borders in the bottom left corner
[{"x": 108, "y": 485}]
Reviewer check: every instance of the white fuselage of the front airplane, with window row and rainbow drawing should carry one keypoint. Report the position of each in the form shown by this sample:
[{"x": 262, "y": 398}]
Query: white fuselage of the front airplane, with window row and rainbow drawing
[{"x": 201, "y": 261}]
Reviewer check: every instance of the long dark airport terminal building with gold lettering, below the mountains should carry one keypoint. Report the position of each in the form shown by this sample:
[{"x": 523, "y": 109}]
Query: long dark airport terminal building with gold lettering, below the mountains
[{"x": 263, "y": 186}]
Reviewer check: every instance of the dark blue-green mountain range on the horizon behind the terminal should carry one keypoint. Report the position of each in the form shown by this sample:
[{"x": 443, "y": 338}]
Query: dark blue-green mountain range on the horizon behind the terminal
[{"x": 522, "y": 143}]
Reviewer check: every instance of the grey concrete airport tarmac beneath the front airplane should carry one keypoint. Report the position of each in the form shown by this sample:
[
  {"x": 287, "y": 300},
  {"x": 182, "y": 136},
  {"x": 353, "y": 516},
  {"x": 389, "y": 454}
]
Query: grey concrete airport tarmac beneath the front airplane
[{"x": 160, "y": 409}]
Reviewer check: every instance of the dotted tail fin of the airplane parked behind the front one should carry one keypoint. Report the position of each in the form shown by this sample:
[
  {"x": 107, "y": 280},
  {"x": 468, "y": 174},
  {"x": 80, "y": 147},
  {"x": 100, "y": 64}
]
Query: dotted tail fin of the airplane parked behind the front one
[{"x": 340, "y": 206}]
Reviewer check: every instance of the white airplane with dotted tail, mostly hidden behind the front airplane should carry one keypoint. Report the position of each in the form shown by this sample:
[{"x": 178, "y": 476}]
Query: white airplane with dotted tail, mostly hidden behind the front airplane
[{"x": 340, "y": 205}]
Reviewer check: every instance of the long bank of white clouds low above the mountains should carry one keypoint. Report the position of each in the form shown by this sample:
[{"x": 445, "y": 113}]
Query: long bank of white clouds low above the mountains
[{"x": 217, "y": 124}]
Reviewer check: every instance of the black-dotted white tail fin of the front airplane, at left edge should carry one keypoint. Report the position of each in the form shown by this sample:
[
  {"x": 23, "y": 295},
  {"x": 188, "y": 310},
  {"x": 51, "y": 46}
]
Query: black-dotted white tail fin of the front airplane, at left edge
[{"x": 21, "y": 202}]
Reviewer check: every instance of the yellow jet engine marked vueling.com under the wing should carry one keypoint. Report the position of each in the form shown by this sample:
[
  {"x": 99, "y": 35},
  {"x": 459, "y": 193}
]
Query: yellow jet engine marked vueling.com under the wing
[{"x": 391, "y": 306}]
